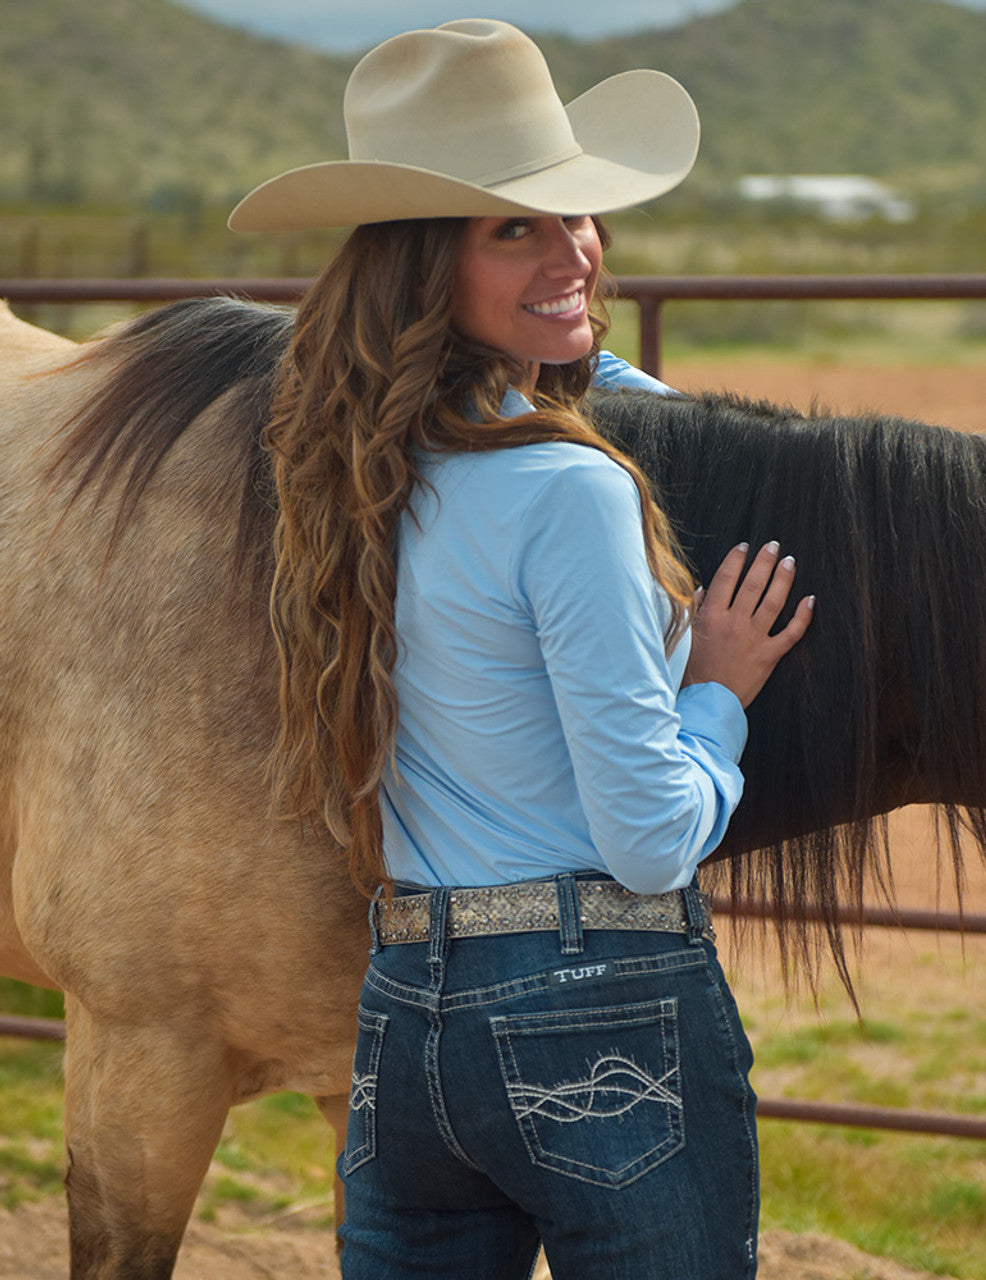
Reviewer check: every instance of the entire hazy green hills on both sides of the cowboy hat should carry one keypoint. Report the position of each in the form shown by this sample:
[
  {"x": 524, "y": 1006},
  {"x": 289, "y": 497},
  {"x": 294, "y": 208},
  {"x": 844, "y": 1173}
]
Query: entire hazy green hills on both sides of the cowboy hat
[{"x": 145, "y": 104}]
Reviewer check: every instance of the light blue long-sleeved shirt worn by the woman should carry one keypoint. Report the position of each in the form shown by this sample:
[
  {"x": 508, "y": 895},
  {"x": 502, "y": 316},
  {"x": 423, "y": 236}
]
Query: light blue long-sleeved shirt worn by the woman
[{"x": 542, "y": 726}]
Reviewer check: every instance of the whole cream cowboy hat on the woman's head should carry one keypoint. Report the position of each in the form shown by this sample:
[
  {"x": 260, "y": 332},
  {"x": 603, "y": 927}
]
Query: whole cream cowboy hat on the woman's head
[{"x": 464, "y": 121}]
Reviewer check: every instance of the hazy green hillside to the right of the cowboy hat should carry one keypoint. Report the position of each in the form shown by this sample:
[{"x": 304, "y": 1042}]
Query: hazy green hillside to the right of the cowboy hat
[{"x": 891, "y": 89}]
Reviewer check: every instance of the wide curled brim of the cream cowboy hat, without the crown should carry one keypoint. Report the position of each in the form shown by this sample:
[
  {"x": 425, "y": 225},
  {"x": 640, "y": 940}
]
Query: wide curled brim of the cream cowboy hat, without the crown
[{"x": 640, "y": 136}]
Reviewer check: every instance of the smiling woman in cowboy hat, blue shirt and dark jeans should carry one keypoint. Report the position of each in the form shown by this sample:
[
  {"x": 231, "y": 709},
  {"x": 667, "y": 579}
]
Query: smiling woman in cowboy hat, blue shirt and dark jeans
[{"x": 485, "y": 632}]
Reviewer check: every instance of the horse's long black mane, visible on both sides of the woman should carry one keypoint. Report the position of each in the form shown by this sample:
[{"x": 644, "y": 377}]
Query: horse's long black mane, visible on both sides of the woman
[{"x": 880, "y": 706}]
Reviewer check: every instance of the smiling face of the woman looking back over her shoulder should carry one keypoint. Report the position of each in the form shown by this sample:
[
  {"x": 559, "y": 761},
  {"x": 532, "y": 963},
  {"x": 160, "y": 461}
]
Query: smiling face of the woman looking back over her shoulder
[{"x": 523, "y": 286}]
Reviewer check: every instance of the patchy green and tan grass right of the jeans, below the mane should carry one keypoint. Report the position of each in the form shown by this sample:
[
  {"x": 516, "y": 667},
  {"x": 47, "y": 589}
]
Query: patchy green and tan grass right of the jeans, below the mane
[{"x": 921, "y": 1045}]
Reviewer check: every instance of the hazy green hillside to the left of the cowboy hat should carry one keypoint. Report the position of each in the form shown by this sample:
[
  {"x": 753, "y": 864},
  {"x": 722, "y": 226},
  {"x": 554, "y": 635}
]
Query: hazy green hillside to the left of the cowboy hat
[{"x": 140, "y": 102}]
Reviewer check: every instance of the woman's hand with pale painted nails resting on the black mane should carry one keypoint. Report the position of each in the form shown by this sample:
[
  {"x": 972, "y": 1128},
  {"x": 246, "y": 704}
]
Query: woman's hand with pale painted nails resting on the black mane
[{"x": 731, "y": 634}]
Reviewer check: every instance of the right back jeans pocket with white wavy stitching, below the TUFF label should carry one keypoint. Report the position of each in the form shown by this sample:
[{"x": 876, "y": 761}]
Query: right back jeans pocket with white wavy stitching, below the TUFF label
[{"x": 596, "y": 1092}]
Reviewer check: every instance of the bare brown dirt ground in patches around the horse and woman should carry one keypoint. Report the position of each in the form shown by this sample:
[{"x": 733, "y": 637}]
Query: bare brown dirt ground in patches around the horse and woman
[{"x": 34, "y": 1238}]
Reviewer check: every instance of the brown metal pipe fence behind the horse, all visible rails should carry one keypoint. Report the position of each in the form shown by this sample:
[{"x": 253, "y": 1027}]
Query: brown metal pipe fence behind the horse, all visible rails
[{"x": 651, "y": 294}]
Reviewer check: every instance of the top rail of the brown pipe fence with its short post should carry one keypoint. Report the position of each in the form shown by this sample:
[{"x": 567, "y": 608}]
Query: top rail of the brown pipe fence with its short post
[{"x": 650, "y": 292}]
